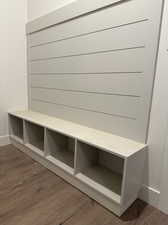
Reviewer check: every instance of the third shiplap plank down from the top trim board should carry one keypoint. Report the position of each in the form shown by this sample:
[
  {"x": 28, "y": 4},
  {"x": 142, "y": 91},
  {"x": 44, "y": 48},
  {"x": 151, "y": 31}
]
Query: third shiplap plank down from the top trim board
[{"x": 121, "y": 61}]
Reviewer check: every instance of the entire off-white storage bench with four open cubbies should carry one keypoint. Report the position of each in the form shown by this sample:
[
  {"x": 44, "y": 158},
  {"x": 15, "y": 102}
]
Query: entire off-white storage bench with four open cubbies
[{"x": 106, "y": 167}]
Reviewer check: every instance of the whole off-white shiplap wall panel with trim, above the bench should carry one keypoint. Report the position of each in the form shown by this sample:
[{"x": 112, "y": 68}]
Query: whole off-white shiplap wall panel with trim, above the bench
[{"x": 97, "y": 69}]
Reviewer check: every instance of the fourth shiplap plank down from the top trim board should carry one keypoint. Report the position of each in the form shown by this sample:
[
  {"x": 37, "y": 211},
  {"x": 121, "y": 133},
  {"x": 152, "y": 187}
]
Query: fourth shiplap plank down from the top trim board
[{"x": 124, "y": 84}]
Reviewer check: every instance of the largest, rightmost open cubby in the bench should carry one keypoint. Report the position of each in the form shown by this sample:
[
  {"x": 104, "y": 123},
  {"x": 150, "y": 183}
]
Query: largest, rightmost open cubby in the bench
[{"x": 102, "y": 170}]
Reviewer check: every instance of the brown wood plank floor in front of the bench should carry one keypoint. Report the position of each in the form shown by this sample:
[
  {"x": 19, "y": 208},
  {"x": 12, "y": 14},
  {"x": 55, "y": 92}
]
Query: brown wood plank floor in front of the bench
[{"x": 32, "y": 195}]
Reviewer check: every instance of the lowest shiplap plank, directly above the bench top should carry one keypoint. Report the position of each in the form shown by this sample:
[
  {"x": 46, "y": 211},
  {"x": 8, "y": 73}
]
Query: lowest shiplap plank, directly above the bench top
[{"x": 117, "y": 125}]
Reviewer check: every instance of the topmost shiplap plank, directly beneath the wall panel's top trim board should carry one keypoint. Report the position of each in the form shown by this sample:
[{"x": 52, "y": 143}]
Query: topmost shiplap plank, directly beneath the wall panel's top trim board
[{"x": 103, "y": 19}]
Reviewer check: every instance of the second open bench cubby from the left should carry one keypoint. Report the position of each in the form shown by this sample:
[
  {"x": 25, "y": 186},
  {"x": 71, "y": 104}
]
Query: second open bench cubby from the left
[{"x": 34, "y": 136}]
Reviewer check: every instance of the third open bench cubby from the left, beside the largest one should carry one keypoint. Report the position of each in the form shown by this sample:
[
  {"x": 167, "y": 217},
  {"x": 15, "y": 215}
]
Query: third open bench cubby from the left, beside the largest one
[{"x": 60, "y": 147}]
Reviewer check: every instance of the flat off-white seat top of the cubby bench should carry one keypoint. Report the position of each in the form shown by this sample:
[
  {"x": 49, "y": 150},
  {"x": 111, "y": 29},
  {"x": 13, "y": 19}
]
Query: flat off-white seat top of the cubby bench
[{"x": 114, "y": 144}]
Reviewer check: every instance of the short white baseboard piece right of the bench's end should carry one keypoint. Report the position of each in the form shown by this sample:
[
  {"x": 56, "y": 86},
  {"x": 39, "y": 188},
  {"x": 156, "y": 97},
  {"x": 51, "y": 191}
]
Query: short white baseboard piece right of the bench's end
[{"x": 150, "y": 195}]
